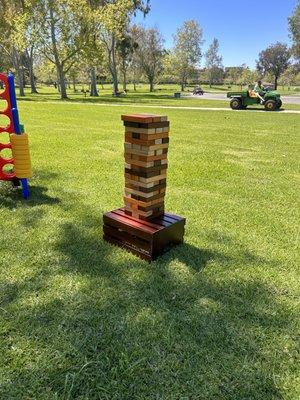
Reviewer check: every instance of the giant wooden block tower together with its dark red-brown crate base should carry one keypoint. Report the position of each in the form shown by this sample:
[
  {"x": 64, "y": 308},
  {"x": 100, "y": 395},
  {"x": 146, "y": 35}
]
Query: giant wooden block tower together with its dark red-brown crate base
[{"x": 143, "y": 226}]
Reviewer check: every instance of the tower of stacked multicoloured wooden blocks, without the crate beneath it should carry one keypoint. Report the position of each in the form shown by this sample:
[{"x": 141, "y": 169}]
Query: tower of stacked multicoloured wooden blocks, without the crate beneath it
[{"x": 146, "y": 148}]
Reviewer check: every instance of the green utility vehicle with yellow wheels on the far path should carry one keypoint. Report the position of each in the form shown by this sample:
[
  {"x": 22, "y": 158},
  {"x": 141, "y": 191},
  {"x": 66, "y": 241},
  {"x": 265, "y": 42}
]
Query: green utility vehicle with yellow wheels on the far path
[{"x": 269, "y": 98}]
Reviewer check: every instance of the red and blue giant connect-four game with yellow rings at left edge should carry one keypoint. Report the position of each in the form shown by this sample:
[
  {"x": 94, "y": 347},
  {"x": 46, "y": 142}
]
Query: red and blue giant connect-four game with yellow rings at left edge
[{"x": 17, "y": 166}]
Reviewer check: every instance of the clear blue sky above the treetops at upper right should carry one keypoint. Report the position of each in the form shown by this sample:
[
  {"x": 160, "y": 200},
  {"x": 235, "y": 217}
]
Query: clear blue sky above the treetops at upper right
[{"x": 243, "y": 28}]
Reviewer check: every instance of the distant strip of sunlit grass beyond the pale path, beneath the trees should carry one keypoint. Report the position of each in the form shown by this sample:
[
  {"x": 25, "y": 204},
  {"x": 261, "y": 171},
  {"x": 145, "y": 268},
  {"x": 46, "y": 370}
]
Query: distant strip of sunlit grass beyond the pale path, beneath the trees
[{"x": 163, "y": 95}]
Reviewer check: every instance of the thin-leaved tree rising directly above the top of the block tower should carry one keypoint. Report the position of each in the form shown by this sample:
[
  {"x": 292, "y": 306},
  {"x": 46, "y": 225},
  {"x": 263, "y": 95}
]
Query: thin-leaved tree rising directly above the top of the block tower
[{"x": 150, "y": 52}]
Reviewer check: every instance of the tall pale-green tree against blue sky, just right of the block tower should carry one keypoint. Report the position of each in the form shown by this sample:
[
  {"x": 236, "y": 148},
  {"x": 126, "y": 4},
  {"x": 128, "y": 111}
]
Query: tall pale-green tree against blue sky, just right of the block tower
[{"x": 186, "y": 54}]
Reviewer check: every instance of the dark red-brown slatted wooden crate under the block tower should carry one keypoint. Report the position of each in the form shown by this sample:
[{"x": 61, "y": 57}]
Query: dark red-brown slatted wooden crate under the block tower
[{"x": 147, "y": 239}]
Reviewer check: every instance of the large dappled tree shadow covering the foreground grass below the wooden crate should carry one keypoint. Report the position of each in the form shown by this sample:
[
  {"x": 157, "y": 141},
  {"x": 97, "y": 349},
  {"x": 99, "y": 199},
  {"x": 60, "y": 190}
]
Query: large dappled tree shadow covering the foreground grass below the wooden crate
[{"x": 104, "y": 325}]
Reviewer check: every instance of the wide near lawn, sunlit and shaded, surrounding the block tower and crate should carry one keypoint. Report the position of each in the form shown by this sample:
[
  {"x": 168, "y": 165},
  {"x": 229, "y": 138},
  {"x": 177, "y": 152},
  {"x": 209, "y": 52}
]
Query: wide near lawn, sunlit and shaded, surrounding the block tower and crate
[{"x": 214, "y": 319}]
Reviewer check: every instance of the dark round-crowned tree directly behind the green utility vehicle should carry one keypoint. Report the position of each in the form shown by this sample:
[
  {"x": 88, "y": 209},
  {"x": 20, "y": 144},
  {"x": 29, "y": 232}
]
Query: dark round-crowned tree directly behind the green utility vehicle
[{"x": 275, "y": 60}]
